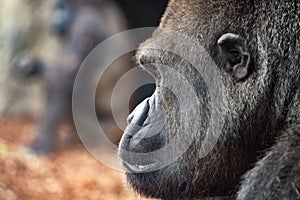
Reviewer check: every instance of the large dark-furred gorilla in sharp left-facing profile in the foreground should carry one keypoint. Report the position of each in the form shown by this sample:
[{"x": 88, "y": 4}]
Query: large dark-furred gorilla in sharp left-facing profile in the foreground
[{"x": 255, "y": 46}]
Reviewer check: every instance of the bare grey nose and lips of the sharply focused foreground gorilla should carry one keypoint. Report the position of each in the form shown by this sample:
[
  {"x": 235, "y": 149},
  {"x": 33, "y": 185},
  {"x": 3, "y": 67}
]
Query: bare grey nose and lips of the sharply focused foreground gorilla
[{"x": 143, "y": 137}]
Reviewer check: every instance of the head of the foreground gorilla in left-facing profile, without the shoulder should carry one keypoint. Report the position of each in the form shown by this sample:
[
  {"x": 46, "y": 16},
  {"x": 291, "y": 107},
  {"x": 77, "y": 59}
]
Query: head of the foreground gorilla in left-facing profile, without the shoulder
[{"x": 229, "y": 35}]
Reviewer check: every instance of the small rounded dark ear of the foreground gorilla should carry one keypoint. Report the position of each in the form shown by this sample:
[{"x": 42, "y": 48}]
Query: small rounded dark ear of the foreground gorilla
[{"x": 236, "y": 55}]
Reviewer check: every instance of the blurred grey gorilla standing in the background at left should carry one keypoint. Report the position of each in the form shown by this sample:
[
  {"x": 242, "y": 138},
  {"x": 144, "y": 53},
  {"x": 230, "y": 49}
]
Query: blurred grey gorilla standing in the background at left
[{"x": 83, "y": 26}]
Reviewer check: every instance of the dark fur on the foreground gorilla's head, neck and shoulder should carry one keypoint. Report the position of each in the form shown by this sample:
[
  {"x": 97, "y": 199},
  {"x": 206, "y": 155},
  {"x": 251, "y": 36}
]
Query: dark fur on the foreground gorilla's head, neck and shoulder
[{"x": 261, "y": 137}]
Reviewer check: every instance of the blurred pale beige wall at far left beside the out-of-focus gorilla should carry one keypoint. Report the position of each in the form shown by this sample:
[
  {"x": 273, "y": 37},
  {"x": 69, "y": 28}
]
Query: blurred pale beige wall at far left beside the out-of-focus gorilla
[{"x": 24, "y": 25}]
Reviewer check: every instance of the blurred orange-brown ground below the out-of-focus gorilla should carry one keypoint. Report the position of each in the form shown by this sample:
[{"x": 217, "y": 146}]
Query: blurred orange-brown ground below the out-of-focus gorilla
[{"x": 67, "y": 174}]
